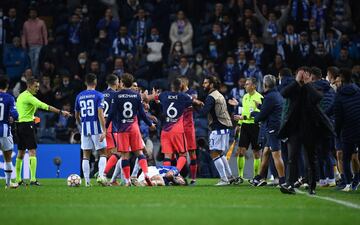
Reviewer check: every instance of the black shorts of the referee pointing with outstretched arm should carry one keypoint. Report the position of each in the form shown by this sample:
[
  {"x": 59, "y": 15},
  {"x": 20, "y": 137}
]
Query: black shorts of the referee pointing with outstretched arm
[{"x": 26, "y": 136}]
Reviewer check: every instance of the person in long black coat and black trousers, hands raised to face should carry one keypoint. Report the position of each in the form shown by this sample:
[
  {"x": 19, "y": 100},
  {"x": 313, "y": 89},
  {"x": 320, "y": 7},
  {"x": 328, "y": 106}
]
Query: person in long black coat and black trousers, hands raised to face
[{"x": 304, "y": 125}]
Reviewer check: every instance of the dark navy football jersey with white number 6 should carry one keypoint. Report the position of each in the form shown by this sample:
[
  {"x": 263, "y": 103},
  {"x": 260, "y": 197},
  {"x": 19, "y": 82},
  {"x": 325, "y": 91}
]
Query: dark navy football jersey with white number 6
[{"x": 173, "y": 105}]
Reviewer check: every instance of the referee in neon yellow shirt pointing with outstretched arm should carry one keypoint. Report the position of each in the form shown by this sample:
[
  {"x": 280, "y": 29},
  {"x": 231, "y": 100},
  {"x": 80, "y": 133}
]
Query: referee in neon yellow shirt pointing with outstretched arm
[{"x": 27, "y": 104}]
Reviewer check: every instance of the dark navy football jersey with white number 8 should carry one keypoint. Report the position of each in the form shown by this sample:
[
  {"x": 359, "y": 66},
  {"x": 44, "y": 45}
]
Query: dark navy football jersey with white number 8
[{"x": 127, "y": 107}]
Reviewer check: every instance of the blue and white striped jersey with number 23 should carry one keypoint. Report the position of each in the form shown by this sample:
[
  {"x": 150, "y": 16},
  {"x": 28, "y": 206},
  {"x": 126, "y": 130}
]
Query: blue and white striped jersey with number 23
[{"x": 87, "y": 103}]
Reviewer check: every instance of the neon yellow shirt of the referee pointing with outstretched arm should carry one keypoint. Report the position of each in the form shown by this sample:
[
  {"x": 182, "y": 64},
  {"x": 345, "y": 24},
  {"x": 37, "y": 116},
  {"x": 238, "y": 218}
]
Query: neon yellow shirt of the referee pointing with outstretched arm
[{"x": 27, "y": 104}]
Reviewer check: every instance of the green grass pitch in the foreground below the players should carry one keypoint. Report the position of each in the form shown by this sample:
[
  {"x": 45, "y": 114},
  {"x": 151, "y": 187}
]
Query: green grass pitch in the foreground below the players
[{"x": 55, "y": 203}]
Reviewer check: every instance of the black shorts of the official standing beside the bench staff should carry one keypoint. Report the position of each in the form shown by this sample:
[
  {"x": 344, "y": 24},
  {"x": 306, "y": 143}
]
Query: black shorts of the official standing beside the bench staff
[{"x": 249, "y": 134}]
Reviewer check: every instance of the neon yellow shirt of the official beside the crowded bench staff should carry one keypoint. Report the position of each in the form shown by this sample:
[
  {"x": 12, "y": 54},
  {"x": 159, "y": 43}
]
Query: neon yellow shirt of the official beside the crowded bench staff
[{"x": 248, "y": 104}]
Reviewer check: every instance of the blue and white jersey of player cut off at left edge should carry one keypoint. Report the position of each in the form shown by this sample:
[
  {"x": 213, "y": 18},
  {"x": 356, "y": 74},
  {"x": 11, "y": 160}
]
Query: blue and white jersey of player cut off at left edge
[{"x": 7, "y": 109}]
